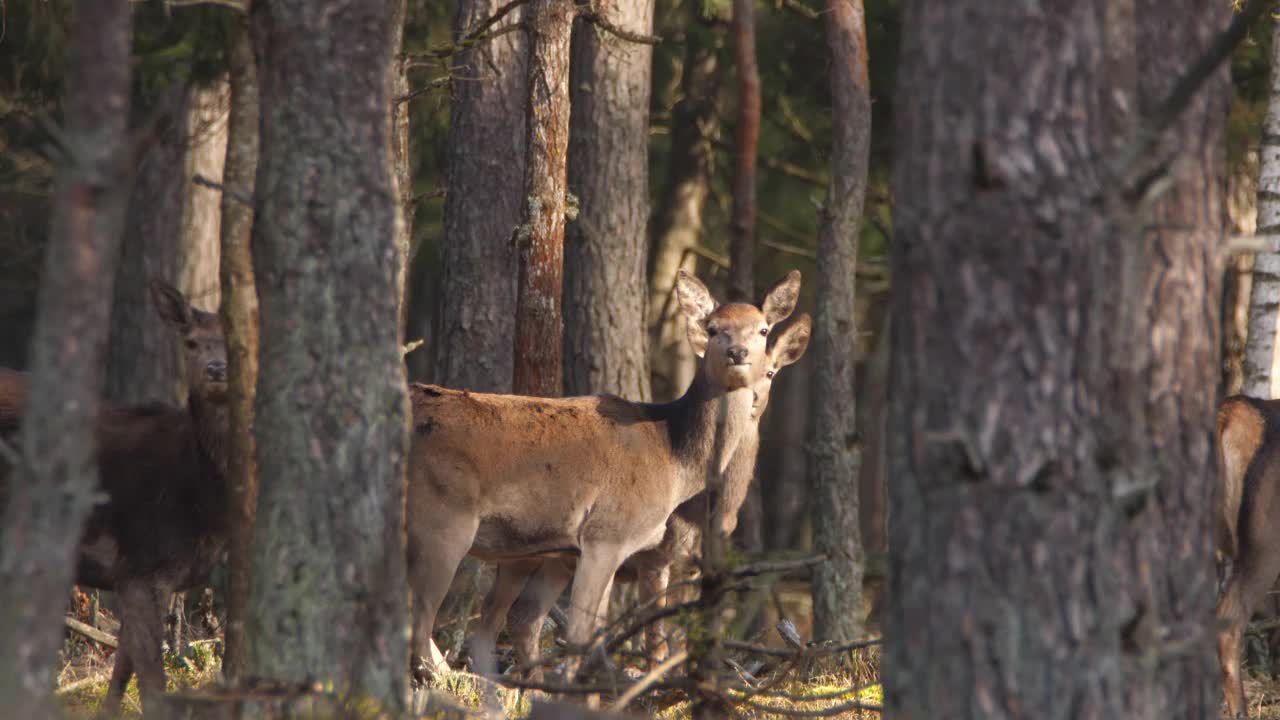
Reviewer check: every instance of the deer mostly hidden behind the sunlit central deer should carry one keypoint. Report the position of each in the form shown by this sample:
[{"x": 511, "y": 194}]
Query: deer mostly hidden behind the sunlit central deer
[{"x": 548, "y": 578}]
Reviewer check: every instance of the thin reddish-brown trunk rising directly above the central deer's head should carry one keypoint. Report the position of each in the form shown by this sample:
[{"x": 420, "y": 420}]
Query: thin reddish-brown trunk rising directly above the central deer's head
[{"x": 747, "y": 142}]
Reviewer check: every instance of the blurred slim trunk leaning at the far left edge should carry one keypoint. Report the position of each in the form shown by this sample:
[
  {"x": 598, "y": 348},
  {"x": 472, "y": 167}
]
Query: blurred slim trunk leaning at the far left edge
[{"x": 53, "y": 490}]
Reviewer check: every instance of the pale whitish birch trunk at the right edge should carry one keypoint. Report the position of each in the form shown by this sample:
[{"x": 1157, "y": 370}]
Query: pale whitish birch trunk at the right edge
[{"x": 1260, "y": 347}]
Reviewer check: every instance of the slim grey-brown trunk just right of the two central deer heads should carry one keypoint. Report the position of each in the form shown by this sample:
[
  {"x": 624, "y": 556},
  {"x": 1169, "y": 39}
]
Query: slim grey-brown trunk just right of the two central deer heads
[{"x": 835, "y": 454}]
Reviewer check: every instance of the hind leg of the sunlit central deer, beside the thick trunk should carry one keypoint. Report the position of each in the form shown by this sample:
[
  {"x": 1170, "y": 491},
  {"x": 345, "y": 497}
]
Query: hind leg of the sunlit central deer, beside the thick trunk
[{"x": 433, "y": 557}]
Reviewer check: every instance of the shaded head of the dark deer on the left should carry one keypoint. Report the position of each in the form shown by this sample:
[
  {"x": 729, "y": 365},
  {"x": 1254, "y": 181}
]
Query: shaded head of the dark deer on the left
[{"x": 203, "y": 341}]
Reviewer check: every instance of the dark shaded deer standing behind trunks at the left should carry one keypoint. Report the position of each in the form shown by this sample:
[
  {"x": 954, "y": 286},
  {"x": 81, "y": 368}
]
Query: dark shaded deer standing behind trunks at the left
[{"x": 162, "y": 526}]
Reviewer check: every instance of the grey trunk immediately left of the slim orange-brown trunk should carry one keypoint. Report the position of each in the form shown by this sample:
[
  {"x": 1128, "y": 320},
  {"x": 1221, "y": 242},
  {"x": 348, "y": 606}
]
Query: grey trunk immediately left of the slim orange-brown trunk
[{"x": 486, "y": 172}]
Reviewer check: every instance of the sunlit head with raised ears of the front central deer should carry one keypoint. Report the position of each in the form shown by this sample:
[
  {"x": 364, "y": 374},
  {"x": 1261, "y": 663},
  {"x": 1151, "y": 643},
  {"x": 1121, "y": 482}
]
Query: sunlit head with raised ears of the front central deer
[{"x": 733, "y": 339}]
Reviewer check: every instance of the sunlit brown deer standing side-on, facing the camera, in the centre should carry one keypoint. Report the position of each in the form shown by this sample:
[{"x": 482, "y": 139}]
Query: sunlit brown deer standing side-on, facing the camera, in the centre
[{"x": 509, "y": 479}]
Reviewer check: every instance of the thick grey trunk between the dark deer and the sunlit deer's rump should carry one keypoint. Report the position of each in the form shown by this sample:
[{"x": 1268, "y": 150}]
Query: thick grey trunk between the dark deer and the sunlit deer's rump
[{"x": 328, "y": 593}]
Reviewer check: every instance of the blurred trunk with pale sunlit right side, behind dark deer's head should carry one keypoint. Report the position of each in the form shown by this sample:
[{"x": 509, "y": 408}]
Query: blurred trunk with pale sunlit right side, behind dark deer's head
[{"x": 172, "y": 235}]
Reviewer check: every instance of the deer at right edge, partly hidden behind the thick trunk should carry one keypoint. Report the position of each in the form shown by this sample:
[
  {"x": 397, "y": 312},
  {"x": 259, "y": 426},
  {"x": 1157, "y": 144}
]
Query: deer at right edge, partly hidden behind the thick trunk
[{"x": 1249, "y": 441}]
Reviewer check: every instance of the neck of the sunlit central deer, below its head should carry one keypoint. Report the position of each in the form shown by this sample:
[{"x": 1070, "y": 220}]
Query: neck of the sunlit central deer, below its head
[{"x": 696, "y": 425}]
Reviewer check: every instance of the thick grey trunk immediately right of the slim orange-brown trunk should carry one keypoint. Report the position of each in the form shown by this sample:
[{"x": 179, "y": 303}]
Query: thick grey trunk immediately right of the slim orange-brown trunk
[{"x": 609, "y": 172}]
